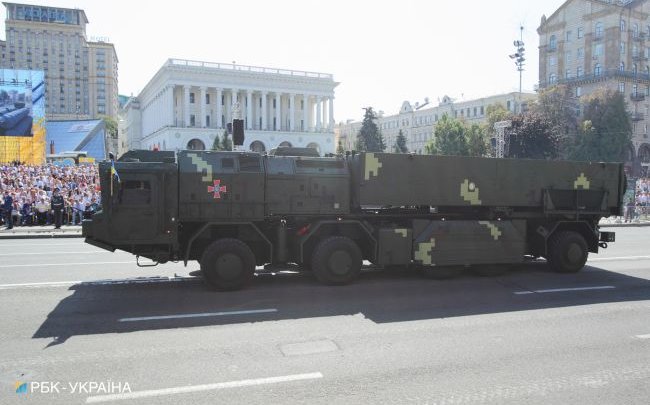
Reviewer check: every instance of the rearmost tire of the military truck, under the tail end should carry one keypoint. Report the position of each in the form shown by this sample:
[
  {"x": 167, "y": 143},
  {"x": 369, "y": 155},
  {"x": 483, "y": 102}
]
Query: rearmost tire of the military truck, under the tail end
[{"x": 567, "y": 252}]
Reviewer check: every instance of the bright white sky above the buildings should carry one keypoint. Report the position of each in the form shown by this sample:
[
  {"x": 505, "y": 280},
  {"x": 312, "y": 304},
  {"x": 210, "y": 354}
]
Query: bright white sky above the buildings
[{"x": 381, "y": 52}]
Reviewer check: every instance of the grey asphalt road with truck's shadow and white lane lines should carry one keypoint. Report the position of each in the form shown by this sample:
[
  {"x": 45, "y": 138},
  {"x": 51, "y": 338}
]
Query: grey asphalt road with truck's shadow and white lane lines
[{"x": 75, "y": 315}]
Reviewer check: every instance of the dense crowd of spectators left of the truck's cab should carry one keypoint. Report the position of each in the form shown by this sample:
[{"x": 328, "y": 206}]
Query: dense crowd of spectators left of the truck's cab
[{"x": 48, "y": 194}]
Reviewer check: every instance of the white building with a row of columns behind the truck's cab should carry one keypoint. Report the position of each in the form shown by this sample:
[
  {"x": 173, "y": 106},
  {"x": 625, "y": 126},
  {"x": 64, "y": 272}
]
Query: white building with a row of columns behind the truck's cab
[{"x": 187, "y": 104}]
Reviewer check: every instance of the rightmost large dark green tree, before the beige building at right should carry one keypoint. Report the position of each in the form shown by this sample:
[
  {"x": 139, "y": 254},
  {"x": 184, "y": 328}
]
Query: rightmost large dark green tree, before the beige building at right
[{"x": 606, "y": 131}]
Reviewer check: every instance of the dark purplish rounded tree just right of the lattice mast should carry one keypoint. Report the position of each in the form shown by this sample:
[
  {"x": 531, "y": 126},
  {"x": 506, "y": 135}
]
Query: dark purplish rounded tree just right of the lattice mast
[{"x": 531, "y": 137}]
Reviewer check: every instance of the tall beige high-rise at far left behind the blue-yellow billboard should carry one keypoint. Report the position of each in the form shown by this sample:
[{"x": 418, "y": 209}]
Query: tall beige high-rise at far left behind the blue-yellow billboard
[{"x": 80, "y": 75}]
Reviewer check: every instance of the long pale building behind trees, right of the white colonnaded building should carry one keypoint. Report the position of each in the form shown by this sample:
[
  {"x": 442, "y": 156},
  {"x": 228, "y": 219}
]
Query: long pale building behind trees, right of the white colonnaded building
[{"x": 418, "y": 121}]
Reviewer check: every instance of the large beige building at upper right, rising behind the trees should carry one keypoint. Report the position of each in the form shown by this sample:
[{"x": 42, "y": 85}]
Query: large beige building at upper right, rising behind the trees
[{"x": 593, "y": 44}]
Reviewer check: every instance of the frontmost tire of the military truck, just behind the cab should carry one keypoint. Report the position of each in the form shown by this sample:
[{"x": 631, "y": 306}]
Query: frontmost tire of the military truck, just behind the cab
[{"x": 228, "y": 264}]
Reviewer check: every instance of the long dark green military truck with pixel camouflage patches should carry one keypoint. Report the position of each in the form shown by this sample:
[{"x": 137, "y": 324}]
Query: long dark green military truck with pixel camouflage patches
[{"x": 236, "y": 211}]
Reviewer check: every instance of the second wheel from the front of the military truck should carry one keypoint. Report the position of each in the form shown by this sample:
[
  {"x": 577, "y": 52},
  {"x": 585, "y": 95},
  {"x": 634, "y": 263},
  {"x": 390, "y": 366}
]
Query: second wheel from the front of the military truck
[{"x": 336, "y": 261}]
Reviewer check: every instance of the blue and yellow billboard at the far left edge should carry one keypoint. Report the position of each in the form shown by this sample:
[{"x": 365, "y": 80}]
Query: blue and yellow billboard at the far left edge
[{"x": 22, "y": 116}]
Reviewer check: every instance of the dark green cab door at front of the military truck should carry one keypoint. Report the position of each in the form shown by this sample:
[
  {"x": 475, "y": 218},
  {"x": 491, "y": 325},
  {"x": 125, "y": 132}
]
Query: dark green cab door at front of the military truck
[{"x": 134, "y": 205}]
